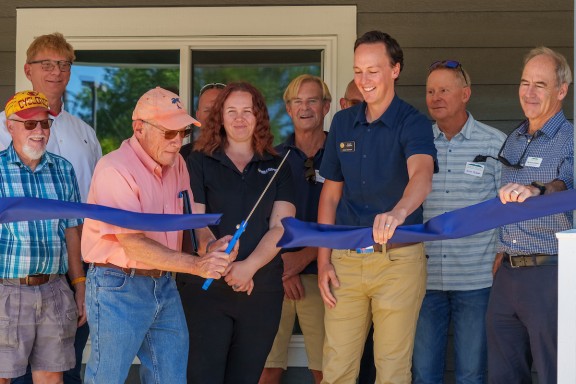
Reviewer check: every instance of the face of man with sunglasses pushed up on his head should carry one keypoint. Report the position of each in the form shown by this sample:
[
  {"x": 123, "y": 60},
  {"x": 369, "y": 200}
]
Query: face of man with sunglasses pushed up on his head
[{"x": 446, "y": 95}]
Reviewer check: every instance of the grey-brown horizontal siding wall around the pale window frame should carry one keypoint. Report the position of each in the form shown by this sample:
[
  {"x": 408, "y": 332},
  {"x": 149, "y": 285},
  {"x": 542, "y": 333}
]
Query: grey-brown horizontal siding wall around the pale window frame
[{"x": 488, "y": 37}]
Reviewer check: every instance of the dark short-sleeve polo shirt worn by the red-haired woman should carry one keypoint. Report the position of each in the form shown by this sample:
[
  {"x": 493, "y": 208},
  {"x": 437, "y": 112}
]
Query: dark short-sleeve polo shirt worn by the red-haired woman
[{"x": 218, "y": 184}]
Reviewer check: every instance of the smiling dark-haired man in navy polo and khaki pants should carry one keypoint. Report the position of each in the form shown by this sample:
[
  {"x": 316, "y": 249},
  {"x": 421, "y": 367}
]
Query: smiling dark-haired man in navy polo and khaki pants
[{"x": 378, "y": 165}]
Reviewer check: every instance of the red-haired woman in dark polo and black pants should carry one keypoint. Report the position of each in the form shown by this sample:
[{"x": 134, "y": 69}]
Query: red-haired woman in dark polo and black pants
[{"x": 233, "y": 324}]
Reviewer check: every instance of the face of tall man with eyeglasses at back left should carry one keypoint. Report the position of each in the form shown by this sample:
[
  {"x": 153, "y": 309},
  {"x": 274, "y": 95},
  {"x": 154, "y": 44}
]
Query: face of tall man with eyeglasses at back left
[{"x": 51, "y": 83}]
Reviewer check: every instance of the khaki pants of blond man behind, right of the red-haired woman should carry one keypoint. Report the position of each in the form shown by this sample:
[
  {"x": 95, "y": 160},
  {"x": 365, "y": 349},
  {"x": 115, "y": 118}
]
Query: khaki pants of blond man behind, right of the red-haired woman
[{"x": 310, "y": 311}]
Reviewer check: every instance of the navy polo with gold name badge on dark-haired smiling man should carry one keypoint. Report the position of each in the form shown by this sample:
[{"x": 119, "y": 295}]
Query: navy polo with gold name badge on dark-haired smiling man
[{"x": 370, "y": 158}]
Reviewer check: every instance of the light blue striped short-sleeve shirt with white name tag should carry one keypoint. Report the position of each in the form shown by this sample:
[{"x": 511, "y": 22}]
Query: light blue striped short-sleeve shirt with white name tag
[{"x": 463, "y": 264}]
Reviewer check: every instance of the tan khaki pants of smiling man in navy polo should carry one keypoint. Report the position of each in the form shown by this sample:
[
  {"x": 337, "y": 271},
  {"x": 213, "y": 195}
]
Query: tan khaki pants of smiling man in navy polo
[{"x": 386, "y": 288}]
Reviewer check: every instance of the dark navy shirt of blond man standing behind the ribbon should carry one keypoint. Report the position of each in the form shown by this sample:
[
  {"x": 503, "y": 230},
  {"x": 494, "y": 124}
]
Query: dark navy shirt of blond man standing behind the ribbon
[{"x": 307, "y": 194}]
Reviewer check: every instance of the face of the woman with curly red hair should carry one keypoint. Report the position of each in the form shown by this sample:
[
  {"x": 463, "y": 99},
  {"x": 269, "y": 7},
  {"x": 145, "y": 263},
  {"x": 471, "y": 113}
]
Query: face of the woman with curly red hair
[{"x": 238, "y": 117}]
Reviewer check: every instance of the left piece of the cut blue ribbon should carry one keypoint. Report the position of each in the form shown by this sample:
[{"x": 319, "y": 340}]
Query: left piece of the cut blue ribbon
[{"x": 30, "y": 209}]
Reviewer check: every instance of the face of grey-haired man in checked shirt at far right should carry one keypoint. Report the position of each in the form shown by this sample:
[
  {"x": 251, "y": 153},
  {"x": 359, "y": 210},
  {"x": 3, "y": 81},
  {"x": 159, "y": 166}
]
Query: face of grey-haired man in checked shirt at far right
[{"x": 540, "y": 94}]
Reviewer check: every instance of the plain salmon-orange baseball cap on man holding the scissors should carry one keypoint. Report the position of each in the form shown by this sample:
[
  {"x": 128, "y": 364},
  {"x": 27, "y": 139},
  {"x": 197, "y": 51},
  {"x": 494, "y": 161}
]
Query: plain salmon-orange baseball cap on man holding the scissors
[{"x": 164, "y": 108}]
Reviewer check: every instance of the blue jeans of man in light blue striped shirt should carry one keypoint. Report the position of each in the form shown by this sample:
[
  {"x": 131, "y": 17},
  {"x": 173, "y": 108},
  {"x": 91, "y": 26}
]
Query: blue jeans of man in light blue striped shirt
[{"x": 467, "y": 310}]
